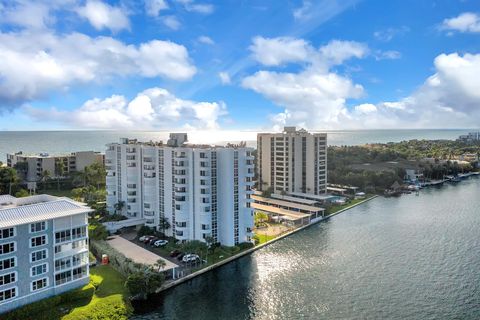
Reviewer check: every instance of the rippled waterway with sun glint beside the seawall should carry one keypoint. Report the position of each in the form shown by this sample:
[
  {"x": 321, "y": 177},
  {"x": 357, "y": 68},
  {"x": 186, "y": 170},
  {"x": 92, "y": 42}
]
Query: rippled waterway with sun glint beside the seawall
[{"x": 414, "y": 257}]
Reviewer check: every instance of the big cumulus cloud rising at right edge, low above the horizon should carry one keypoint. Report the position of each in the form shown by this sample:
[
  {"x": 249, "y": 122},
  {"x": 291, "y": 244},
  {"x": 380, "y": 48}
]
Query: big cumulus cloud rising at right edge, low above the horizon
[{"x": 447, "y": 99}]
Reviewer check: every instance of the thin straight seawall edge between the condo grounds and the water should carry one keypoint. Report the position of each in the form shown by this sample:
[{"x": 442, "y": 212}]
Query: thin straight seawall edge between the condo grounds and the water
[{"x": 251, "y": 250}]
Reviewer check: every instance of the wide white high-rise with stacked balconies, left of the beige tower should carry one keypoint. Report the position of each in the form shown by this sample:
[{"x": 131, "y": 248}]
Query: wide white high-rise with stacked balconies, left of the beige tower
[{"x": 202, "y": 191}]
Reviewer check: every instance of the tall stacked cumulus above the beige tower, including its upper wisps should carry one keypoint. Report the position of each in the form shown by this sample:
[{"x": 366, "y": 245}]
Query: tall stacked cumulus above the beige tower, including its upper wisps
[{"x": 315, "y": 95}]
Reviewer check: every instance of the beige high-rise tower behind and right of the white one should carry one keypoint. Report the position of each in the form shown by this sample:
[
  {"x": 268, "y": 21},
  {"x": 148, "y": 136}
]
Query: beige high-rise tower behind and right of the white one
[{"x": 292, "y": 161}]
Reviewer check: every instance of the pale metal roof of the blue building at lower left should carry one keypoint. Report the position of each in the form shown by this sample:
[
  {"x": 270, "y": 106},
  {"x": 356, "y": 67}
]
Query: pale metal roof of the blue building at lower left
[{"x": 17, "y": 211}]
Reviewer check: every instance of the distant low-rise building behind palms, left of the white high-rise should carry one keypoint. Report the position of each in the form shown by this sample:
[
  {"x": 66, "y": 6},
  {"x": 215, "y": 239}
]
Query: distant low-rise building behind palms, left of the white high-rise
[{"x": 31, "y": 167}]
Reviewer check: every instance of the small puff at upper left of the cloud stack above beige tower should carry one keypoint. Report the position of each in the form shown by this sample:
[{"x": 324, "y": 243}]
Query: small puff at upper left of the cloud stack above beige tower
[{"x": 277, "y": 51}]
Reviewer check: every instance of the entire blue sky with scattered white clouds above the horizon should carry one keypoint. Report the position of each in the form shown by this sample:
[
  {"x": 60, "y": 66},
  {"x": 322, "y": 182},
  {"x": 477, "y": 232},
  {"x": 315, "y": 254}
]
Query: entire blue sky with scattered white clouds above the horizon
[{"x": 239, "y": 65}]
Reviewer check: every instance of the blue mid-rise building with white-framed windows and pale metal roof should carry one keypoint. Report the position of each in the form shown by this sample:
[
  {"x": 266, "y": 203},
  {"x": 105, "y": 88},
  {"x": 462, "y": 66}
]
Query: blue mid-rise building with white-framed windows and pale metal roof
[{"x": 43, "y": 248}]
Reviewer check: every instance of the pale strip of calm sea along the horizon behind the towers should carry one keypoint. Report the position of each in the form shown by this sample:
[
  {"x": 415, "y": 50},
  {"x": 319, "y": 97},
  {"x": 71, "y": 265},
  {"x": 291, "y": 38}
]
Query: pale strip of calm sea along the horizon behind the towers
[{"x": 55, "y": 142}]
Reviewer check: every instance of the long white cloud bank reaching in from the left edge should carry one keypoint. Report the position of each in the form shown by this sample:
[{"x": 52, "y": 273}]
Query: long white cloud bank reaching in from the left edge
[{"x": 34, "y": 64}]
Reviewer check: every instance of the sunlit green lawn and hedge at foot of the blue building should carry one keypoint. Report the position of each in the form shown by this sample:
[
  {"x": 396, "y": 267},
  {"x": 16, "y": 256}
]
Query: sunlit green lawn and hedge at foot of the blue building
[{"x": 105, "y": 297}]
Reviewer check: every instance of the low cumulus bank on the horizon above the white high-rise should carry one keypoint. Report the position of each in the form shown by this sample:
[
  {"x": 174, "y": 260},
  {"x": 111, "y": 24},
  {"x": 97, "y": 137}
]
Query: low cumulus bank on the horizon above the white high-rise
[{"x": 151, "y": 108}]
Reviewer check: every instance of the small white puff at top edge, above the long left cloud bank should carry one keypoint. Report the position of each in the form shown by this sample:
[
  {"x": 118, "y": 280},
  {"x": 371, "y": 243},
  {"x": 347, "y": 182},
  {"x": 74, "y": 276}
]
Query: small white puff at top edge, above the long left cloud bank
[{"x": 104, "y": 16}]
